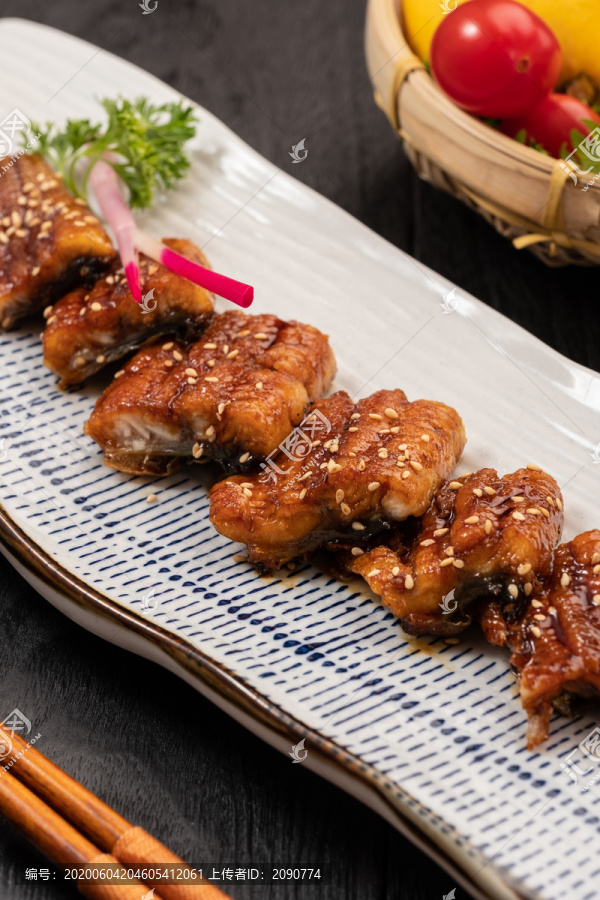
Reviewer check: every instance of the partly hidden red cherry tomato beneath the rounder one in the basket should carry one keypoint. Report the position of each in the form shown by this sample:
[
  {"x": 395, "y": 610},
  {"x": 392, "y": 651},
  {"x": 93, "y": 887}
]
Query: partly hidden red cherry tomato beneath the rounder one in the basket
[{"x": 551, "y": 122}]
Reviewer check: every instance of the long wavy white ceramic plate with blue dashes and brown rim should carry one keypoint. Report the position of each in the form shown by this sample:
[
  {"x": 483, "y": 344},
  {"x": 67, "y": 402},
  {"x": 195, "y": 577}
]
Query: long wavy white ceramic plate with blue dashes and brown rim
[{"x": 431, "y": 735}]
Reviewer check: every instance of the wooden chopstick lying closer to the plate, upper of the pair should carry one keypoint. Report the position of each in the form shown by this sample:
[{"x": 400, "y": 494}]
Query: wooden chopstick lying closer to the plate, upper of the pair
[{"x": 110, "y": 832}]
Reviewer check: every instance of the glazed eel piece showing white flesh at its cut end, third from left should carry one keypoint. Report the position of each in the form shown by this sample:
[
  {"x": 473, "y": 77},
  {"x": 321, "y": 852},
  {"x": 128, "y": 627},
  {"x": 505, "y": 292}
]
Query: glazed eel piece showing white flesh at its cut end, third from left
[{"x": 232, "y": 396}]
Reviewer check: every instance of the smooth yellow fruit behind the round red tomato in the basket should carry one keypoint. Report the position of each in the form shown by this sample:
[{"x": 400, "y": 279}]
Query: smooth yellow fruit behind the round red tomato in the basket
[{"x": 575, "y": 23}]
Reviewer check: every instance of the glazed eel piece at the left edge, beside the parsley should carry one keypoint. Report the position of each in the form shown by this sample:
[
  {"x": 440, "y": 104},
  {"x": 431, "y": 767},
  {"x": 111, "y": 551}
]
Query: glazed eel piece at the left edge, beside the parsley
[{"x": 49, "y": 241}]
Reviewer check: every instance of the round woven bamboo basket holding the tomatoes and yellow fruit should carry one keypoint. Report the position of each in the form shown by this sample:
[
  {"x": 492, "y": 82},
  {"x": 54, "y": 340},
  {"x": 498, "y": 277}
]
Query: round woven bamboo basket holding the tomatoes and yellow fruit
[{"x": 528, "y": 197}]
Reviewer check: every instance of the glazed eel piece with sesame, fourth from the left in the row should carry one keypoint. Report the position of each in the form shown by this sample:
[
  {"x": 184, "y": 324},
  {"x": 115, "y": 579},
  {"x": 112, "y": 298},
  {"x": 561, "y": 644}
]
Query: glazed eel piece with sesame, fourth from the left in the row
[{"x": 372, "y": 462}]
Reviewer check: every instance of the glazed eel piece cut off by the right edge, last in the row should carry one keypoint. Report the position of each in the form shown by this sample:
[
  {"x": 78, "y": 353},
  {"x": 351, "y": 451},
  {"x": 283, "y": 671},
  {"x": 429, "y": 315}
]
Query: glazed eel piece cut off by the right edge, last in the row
[{"x": 555, "y": 642}]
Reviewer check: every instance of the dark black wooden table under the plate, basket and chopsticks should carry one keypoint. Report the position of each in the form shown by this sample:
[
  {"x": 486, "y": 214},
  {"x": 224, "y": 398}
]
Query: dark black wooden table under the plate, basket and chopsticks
[{"x": 275, "y": 71}]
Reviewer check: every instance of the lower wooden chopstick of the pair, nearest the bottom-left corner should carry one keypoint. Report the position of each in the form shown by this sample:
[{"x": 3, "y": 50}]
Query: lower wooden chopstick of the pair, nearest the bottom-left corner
[{"x": 59, "y": 841}]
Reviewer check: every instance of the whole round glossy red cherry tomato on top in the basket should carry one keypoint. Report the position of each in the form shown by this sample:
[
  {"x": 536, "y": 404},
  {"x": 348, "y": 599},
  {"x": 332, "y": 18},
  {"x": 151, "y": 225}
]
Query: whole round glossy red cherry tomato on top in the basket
[{"x": 495, "y": 58}]
